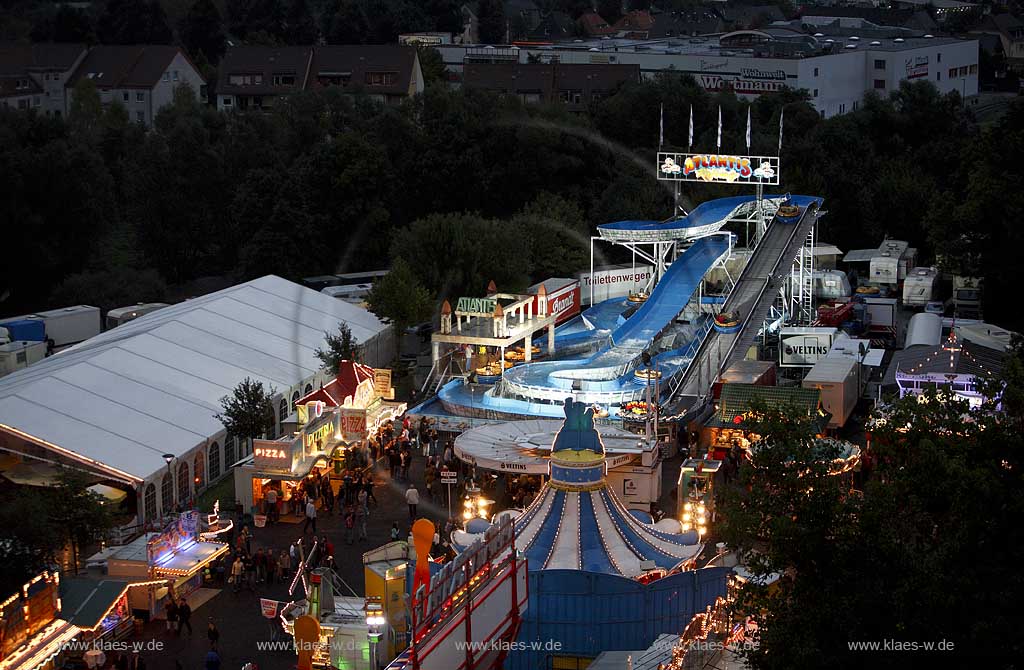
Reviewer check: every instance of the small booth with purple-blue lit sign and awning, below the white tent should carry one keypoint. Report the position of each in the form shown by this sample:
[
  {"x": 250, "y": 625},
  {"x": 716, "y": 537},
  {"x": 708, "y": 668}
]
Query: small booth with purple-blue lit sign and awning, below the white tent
[{"x": 175, "y": 563}]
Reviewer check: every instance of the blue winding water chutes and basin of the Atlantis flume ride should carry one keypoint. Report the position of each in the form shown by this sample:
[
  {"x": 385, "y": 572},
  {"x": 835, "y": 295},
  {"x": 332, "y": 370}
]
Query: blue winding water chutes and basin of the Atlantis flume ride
[{"x": 608, "y": 378}]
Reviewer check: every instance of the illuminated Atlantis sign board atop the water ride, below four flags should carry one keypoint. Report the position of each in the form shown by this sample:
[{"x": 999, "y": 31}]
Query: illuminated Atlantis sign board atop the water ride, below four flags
[{"x": 718, "y": 169}]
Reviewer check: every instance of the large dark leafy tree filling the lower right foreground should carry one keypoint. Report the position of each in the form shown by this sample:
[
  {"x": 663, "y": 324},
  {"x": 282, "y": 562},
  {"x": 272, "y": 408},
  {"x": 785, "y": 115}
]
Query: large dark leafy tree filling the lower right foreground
[{"x": 909, "y": 558}]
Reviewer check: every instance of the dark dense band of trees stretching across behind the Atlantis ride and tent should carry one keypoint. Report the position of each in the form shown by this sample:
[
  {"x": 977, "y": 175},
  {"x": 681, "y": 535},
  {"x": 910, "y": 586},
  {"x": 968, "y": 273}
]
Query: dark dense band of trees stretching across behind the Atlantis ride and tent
[{"x": 465, "y": 186}]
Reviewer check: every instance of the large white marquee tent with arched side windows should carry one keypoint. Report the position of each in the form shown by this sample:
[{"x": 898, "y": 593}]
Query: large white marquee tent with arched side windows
[{"x": 115, "y": 405}]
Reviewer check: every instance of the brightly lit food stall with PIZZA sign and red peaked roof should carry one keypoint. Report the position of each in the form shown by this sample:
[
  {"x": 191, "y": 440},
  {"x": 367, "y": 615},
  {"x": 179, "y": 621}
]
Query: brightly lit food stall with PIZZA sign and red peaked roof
[{"x": 330, "y": 431}]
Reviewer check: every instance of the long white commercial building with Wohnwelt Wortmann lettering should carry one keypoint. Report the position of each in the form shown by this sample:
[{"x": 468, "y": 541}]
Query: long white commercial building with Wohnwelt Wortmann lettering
[{"x": 836, "y": 69}]
